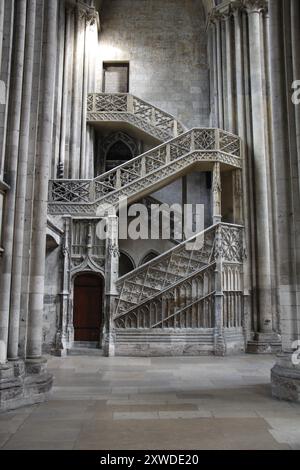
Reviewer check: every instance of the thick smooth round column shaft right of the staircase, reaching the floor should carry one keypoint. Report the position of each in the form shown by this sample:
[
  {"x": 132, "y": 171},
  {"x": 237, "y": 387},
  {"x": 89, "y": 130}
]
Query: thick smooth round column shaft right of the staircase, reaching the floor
[{"x": 266, "y": 335}]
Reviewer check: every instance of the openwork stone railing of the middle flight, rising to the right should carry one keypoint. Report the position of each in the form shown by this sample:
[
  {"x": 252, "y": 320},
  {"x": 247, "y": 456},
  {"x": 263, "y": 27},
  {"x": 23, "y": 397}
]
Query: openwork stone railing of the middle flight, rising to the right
[{"x": 147, "y": 170}]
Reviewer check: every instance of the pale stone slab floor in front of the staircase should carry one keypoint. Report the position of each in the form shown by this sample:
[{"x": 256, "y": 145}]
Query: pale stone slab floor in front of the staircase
[{"x": 156, "y": 403}]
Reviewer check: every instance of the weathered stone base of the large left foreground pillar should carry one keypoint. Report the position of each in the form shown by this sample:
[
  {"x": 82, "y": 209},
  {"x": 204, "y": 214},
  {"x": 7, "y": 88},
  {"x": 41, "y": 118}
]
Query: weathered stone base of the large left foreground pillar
[{"x": 24, "y": 383}]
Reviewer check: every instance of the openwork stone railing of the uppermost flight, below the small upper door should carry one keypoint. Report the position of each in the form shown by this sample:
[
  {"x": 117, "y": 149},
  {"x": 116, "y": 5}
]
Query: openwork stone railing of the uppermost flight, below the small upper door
[{"x": 124, "y": 106}]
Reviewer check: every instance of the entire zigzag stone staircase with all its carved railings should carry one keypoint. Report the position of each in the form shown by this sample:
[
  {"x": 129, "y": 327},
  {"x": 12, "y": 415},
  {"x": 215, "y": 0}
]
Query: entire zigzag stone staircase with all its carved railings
[{"x": 189, "y": 299}]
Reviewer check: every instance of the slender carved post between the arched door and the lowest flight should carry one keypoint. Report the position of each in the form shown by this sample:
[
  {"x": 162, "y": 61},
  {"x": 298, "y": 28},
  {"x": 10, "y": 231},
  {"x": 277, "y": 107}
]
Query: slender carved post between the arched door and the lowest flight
[{"x": 111, "y": 276}]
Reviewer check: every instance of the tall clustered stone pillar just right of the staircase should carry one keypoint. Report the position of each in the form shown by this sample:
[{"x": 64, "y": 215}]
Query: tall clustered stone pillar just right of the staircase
[{"x": 242, "y": 70}]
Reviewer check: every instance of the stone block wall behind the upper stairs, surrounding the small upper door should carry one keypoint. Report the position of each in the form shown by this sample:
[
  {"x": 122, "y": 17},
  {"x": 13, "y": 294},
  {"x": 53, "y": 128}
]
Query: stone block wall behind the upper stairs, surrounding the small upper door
[{"x": 165, "y": 43}]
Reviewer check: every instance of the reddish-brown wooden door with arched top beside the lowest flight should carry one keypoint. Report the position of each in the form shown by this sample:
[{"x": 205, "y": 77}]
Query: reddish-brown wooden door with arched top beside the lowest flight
[{"x": 88, "y": 307}]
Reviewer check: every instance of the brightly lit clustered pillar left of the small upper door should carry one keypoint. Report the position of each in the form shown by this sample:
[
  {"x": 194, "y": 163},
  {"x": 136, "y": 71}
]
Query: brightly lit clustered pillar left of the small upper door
[{"x": 74, "y": 153}]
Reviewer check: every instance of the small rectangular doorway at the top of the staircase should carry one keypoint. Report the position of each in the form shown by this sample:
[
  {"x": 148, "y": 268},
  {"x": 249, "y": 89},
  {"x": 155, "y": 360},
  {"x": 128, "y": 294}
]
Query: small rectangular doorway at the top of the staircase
[{"x": 115, "y": 77}]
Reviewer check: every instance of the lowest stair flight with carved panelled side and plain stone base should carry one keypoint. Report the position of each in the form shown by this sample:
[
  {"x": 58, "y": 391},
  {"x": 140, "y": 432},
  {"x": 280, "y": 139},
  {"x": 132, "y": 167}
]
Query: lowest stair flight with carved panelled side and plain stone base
[{"x": 184, "y": 301}]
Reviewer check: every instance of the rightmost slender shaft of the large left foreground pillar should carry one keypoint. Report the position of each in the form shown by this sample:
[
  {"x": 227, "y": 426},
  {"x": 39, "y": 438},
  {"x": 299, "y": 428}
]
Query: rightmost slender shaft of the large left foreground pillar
[{"x": 44, "y": 152}]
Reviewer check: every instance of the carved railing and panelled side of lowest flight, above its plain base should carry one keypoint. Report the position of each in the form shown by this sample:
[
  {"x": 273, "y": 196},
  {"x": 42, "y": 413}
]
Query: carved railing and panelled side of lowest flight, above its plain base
[{"x": 187, "y": 301}]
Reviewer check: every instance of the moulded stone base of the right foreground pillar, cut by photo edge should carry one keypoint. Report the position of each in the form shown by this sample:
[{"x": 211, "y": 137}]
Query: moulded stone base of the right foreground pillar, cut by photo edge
[{"x": 285, "y": 378}]
